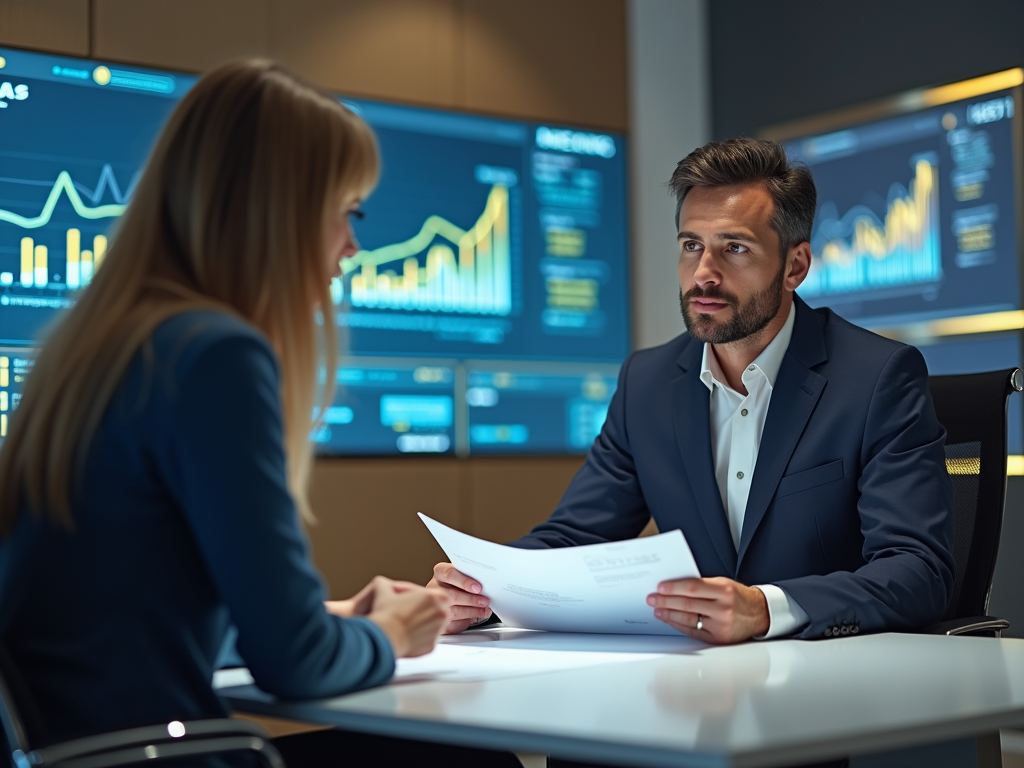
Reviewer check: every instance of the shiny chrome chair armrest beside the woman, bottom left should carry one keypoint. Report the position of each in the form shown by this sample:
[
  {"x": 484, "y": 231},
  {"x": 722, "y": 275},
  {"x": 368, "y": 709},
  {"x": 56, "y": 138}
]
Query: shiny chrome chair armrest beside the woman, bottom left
[{"x": 159, "y": 743}]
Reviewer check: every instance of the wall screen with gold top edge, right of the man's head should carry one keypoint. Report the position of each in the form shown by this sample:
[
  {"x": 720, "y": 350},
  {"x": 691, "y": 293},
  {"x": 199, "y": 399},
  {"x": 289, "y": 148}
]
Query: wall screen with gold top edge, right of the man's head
[{"x": 918, "y": 212}]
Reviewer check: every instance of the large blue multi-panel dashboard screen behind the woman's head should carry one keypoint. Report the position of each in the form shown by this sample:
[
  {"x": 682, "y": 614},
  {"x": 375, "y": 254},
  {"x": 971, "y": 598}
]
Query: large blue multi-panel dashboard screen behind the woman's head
[{"x": 491, "y": 248}]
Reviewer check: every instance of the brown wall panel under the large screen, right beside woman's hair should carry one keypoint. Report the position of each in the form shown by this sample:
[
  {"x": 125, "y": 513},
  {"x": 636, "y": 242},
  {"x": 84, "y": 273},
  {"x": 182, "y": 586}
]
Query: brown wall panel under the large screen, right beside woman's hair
[{"x": 367, "y": 522}]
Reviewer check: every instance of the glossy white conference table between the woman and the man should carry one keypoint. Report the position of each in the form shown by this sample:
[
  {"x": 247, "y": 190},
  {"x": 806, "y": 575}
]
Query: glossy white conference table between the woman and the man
[{"x": 678, "y": 703}]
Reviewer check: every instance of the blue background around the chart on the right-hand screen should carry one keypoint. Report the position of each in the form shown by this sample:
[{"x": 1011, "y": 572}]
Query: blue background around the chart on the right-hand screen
[{"x": 865, "y": 177}]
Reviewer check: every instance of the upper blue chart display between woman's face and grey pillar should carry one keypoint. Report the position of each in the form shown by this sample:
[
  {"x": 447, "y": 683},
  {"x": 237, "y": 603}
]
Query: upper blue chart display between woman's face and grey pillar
[{"x": 489, "y": 239}]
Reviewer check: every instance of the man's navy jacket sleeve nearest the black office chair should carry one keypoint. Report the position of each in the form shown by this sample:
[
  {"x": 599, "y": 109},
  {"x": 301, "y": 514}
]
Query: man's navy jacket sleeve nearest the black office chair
[{"x": 907, "y": 517}]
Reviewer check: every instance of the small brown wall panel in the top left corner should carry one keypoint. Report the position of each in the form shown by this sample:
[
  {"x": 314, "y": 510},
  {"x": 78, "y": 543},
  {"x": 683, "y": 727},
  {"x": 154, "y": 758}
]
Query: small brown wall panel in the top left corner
[{"x": 61, "y": 26}]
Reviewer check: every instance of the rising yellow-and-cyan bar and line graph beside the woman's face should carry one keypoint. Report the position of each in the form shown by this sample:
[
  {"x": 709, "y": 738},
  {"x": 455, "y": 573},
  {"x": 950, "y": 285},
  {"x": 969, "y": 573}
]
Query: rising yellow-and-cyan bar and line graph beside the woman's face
[{"x": 479, "y": 280}]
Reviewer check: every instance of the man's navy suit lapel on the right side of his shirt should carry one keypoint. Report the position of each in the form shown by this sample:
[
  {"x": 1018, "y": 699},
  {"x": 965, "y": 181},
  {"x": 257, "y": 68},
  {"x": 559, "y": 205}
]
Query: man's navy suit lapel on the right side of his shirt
[{"x": 795, "y": 396}]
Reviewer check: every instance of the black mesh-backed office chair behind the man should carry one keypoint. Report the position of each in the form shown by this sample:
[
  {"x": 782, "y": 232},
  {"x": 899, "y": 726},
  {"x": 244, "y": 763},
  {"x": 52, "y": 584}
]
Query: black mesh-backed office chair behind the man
[{"x": 973, "y": 409}]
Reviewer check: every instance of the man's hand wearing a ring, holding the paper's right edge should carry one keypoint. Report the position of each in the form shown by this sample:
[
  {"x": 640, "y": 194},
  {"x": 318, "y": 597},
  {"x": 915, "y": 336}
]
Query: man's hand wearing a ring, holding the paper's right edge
[{"x": 729, "y": 612}]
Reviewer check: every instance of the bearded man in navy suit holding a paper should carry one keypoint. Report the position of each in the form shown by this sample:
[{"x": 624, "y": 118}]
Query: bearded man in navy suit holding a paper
[{"x": 800, "y": 455}]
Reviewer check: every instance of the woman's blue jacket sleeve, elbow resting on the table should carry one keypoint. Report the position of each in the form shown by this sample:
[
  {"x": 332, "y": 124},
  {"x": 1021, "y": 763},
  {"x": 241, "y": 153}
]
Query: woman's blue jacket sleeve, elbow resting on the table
[{"x": 225, "y": 463}]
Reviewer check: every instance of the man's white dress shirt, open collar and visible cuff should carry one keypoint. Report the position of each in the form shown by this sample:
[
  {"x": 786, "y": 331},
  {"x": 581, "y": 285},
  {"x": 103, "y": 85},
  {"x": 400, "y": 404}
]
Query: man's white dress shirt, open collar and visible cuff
[{"x": 737, "y": 425}]
